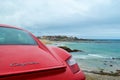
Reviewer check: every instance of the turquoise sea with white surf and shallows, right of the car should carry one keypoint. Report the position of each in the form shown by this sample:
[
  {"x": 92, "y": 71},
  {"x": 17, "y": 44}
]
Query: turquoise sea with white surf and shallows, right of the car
[{"x": 97, "y": 55}]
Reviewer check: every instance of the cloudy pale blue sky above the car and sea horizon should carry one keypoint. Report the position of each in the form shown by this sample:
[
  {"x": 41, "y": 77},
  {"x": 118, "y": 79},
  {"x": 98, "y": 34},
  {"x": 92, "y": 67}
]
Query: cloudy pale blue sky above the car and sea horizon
[{"x": 93, "y": 19}]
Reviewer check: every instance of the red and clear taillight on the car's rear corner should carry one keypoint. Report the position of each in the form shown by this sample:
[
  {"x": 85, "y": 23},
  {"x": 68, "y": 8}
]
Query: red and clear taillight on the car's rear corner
[{"x": 73, "y": 65}]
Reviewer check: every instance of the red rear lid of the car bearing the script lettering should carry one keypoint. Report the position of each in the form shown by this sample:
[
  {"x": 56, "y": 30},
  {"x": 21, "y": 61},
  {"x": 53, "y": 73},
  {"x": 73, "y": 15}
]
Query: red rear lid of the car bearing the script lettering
[{"x": 22, "y": 59}]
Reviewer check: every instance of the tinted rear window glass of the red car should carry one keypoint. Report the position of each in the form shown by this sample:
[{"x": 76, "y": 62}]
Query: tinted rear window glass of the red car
[{"x": 11, "y": 36}]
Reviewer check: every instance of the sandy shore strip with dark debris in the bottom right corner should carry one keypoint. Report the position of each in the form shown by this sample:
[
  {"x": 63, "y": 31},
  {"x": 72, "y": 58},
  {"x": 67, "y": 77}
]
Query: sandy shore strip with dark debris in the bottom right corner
[{"x": 101, "y": 75}]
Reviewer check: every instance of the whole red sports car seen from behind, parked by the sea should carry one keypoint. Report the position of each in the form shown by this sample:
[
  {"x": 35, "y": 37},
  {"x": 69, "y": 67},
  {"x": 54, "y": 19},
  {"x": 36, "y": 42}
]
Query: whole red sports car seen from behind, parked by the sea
[{"x": 24, "y": 57}]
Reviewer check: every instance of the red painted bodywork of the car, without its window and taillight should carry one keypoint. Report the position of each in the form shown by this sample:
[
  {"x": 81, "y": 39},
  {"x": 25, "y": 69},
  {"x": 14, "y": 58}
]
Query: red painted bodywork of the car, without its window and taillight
[{"x": 35, "y": 62}]
